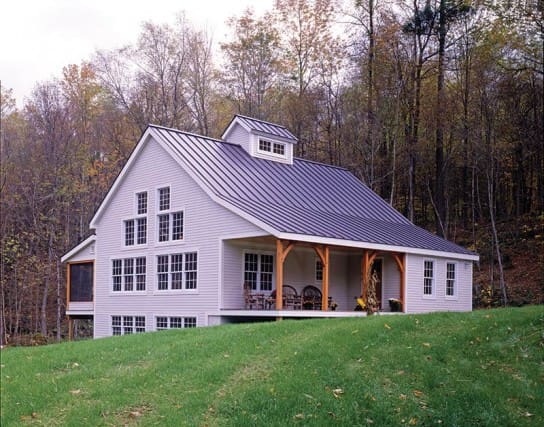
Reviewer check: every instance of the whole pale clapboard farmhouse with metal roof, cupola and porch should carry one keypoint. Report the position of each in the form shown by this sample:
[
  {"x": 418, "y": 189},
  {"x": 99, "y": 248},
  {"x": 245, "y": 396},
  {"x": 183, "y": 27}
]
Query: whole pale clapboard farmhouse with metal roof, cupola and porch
[{"x": 197, "y": 231}]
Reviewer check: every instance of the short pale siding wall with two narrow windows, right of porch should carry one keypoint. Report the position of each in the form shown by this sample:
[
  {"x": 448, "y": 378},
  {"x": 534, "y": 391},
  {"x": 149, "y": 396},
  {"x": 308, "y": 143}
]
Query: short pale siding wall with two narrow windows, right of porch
[{"x": 416, "y": 302}]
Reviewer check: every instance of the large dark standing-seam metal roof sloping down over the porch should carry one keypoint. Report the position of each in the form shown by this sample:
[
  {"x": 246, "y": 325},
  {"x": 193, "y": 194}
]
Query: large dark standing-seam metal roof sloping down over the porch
[{"x": 306, "y": 201}]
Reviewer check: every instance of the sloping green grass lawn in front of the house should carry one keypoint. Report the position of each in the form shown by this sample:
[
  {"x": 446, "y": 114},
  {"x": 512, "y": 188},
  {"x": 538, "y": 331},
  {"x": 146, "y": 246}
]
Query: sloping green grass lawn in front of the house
[{"x": 484, "y": 368}]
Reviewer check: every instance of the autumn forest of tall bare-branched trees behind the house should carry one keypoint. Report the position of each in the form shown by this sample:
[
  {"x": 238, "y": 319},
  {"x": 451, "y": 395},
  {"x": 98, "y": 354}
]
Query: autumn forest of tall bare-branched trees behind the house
[{"x": 437, "y": 105}]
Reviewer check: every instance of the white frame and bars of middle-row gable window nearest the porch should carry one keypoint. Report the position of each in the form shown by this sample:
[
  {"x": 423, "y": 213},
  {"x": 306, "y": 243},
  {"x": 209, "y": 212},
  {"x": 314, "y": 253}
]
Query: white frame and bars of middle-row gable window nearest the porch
[{"x": 184, "y": 273}]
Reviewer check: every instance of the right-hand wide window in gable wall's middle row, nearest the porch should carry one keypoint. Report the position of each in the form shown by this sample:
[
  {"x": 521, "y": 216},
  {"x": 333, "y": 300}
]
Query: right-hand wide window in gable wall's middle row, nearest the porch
[{"x": 177, "y": 271}]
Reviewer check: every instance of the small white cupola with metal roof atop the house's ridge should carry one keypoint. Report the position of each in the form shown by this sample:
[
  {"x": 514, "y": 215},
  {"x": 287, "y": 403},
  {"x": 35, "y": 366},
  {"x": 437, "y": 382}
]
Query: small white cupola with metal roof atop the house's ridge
[{"x": 261, "y": 139}]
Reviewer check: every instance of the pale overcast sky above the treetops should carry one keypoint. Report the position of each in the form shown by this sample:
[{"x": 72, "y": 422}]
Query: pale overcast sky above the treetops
[{"x": 40, "y": 37}]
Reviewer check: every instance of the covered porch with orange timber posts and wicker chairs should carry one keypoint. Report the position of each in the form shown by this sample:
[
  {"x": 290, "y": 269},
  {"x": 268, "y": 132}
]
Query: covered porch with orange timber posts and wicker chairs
[{"x": 290, "y": 278}]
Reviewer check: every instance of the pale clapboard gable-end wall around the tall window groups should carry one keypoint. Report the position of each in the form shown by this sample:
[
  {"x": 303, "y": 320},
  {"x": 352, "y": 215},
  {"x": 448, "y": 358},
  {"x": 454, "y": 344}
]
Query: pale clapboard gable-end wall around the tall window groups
[{"x": 204, "y": 223}]
